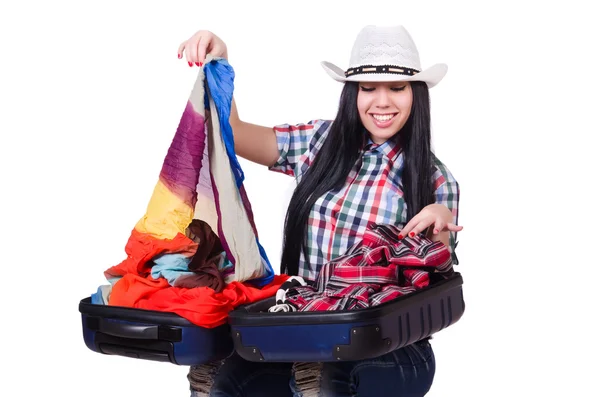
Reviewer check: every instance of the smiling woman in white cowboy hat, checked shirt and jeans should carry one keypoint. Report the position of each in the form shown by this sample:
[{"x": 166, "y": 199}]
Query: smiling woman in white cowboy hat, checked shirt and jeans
[{"x": 372, "y": 163}]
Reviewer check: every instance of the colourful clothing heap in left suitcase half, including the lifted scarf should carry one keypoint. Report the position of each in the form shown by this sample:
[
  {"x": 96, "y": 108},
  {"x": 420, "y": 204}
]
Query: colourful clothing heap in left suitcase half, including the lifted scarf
[{"x": 196, "y": 252}]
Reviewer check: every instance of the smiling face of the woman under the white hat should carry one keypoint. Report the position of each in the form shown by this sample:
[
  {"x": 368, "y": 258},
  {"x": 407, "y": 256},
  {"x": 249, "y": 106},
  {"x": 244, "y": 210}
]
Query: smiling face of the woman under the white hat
[{"x": 384, "y": 108}]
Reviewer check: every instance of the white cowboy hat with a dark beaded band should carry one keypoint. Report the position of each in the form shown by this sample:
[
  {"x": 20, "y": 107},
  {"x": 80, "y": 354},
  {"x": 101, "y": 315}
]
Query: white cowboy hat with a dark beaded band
[{"x": 385, "y": 53}]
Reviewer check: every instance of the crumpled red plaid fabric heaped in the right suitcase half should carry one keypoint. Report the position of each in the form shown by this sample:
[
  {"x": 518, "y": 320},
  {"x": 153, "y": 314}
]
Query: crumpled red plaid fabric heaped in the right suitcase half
[{"x": 377, "y": 269}]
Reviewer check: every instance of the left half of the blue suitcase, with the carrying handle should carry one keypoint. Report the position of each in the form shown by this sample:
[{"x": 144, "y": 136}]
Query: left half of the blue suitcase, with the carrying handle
[{"x": 151, "y": 335}]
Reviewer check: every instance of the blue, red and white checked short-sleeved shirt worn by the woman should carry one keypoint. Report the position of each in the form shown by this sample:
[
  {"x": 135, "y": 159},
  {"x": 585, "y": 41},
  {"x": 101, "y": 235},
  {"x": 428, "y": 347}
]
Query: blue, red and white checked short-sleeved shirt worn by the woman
[{"x": 372, "y": 193}]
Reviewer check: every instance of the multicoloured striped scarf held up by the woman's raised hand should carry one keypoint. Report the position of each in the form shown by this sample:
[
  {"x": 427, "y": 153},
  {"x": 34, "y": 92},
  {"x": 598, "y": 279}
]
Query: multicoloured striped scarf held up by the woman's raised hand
[{"x": 200, "y": 178}]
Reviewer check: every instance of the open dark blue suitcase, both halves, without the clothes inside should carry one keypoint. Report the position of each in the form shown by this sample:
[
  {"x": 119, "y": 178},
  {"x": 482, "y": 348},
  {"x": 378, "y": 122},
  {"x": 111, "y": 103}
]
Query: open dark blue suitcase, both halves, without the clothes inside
[{"x": 258, "y": 335}]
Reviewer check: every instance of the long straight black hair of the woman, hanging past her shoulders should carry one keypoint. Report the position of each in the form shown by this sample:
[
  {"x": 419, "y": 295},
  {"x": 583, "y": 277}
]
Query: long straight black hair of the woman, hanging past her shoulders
[{"x": 339, "y": 153}]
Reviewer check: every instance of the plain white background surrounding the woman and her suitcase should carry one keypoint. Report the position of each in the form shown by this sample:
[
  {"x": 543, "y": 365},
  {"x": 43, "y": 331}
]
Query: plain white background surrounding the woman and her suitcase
[{"x": 91, "y": 94}]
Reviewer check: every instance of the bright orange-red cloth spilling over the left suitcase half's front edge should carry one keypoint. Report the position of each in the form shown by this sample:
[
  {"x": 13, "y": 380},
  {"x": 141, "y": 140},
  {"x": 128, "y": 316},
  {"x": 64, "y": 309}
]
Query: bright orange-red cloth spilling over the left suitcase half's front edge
[{"x": 201, "y": 306}]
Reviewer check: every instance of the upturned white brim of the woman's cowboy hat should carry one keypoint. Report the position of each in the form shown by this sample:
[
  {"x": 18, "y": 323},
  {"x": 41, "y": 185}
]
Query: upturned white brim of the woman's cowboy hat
[{"x": 431, "y": 76}]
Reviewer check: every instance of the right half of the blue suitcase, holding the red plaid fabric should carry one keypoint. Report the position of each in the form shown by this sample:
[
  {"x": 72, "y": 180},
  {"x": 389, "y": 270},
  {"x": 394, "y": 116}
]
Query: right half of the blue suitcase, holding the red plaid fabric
[{"x": 261, "y": 336}]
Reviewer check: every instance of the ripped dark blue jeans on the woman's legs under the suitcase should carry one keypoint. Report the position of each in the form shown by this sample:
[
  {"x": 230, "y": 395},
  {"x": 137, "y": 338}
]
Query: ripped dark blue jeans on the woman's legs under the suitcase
[{"x": 407, "y": 372}]
